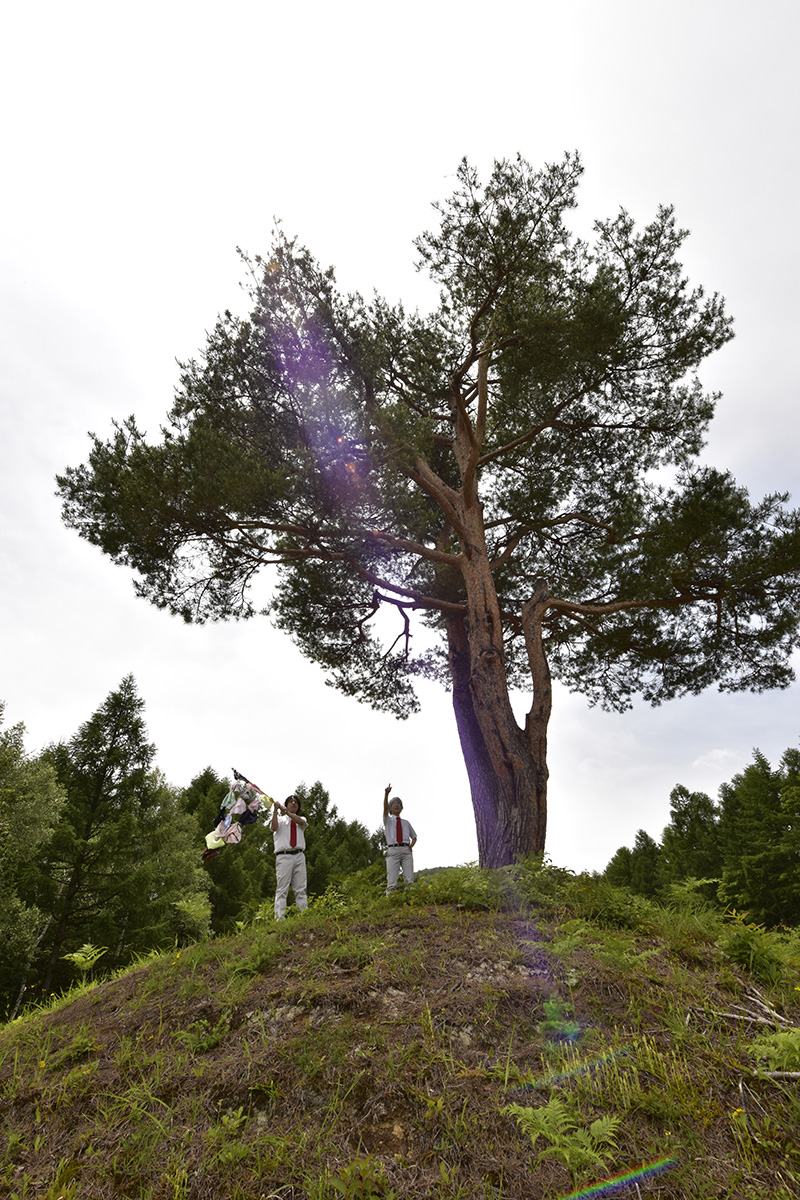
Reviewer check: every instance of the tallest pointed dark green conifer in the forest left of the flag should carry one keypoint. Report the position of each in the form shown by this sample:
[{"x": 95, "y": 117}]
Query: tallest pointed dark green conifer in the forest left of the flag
[{"x": 122, "y": 851}]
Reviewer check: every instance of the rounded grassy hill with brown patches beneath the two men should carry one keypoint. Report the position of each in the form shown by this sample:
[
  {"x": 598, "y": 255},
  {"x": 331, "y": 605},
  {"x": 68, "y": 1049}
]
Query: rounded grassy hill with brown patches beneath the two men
[{"x": 516, "y": 1035}]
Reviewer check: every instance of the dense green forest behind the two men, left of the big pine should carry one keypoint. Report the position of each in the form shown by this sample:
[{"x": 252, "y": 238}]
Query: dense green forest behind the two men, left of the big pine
[{"x": 100, "y": 856}]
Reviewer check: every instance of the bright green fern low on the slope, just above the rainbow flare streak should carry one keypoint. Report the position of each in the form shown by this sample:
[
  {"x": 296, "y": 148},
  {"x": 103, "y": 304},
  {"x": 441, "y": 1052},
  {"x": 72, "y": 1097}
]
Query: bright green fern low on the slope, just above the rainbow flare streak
[{"x": 569, "y": 1142}]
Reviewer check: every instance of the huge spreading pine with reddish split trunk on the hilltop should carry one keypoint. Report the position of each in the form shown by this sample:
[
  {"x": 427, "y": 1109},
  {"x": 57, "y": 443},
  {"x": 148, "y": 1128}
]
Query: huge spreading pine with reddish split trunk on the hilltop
[{"x": 495, "y": 469}]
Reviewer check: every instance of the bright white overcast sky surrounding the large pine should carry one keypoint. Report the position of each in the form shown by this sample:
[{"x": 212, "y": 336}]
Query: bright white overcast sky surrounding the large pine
[{"x": 142, "y": 145}]
